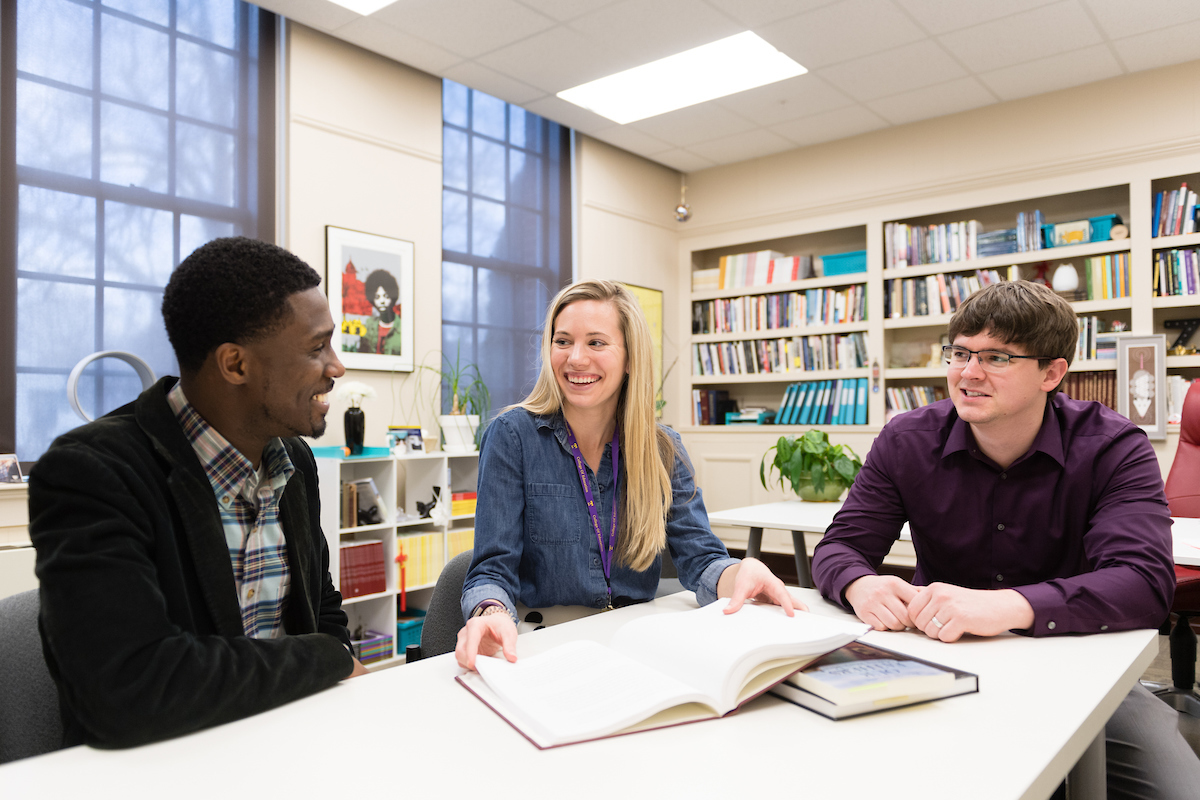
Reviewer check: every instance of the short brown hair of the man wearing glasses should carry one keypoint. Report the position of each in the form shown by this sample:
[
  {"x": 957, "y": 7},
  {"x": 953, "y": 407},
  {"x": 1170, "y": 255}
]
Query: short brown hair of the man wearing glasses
[{"x": 1021, "y": 312}]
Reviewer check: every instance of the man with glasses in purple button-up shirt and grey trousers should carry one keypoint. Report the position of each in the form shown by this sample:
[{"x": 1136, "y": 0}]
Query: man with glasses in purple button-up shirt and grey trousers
[{"x": 1029, "y": 513}]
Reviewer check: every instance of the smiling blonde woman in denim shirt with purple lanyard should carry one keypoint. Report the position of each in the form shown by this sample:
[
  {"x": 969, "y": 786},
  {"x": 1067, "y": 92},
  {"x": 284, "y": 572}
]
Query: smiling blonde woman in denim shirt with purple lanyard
[{"x": 580, "y": 490}]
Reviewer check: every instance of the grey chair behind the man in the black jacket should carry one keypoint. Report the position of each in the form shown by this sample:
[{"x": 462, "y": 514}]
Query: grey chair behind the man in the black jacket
[{"x": 29, "y": 700}]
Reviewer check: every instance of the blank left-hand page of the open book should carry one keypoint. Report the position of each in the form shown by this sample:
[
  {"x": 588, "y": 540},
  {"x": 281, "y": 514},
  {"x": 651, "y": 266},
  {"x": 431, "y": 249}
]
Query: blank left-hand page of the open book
[{"x": 583, "y": 690}]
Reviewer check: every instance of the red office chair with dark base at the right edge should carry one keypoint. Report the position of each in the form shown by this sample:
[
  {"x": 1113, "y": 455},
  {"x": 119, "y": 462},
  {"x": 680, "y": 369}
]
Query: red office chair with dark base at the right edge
[{"x": 1184, "y": 497}]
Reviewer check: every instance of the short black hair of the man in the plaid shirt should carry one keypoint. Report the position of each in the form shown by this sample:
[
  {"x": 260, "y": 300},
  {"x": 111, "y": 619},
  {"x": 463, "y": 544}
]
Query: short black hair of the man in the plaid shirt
[{"x": 231, "y": 290}]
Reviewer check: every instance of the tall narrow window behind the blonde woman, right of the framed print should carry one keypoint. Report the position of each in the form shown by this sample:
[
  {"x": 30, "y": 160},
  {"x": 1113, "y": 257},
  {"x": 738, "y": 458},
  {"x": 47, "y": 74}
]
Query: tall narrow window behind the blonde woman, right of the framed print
[{"x": 506, "y": 236}]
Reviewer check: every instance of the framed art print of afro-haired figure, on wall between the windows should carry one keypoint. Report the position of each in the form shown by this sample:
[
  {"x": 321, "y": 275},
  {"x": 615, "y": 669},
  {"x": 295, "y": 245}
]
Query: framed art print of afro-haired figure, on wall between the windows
[{"x": 370, "y": 285}]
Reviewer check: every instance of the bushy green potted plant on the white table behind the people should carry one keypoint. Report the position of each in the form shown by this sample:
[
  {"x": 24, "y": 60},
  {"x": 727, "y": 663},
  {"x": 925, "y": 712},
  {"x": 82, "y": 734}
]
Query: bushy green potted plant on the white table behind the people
[{"x": 815, "y": 468}]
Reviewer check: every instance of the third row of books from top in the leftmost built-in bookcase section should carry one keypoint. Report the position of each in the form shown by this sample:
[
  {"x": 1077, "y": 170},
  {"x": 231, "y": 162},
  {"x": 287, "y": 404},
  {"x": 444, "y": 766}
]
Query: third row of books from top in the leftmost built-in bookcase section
[{"x": 799, "y": 353}]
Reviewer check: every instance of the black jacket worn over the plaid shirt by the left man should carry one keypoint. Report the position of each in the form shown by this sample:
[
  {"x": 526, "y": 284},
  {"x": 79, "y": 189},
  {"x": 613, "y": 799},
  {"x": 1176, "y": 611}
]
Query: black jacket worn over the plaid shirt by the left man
[{"x": 141, "y": 623}]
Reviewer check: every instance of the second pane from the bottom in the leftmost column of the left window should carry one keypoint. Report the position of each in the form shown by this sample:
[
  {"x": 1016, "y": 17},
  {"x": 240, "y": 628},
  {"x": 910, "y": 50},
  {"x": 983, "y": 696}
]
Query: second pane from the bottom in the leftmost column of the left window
[{"x": 58, "y": 323}]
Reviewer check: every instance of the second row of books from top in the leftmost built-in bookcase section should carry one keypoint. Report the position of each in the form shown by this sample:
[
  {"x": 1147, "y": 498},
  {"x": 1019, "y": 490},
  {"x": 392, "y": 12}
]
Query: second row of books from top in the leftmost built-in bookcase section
[{"x": 783, "y": 310}]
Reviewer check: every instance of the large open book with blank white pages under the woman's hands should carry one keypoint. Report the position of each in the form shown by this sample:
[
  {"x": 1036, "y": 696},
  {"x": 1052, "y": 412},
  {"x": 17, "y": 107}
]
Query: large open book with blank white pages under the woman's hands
[{"x": 659, "y": 671}]
